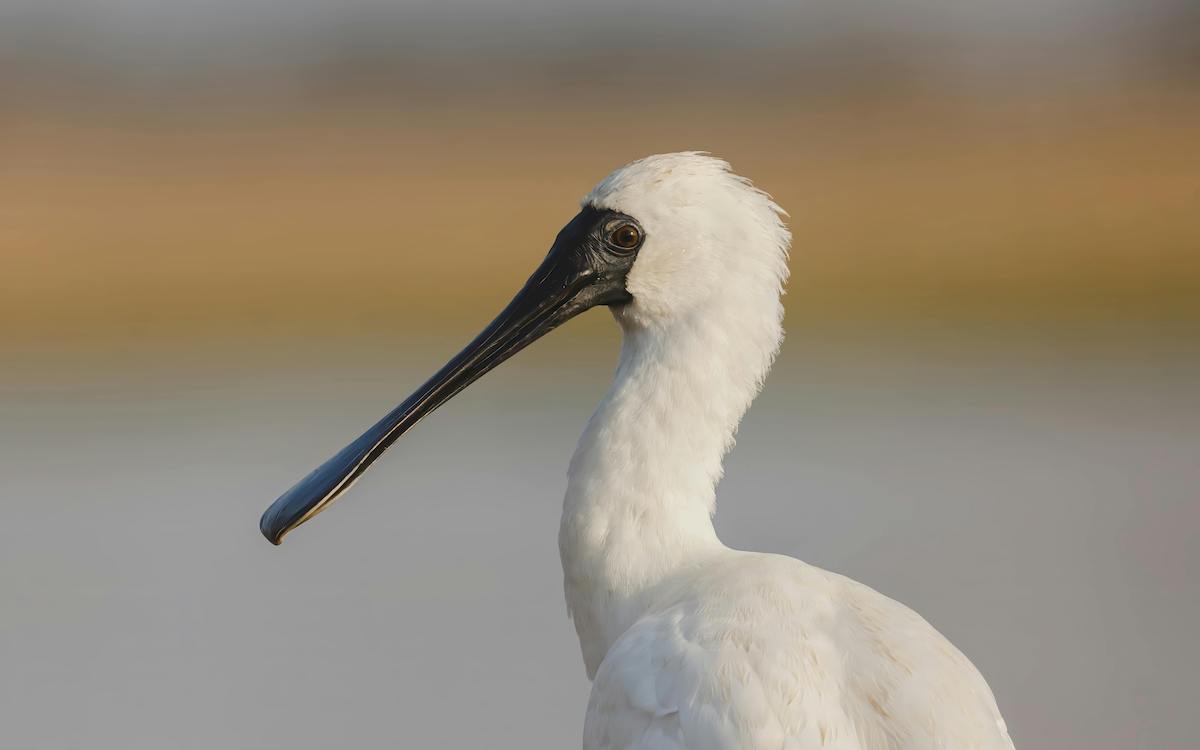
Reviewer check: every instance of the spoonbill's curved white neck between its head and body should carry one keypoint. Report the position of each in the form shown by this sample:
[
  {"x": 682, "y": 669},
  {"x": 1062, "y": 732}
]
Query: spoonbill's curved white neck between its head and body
[{"x": 641, "y": 487}]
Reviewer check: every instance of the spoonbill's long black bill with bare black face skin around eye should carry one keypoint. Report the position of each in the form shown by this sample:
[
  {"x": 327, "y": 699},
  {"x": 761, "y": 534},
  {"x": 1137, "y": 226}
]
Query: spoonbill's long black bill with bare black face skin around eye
[{"x": 586, "y": 267}]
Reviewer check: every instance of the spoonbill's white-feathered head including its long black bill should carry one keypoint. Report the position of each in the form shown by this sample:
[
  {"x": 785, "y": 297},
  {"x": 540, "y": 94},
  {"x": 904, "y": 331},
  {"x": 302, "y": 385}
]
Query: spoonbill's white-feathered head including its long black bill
[{"x": 658, "y": 242}]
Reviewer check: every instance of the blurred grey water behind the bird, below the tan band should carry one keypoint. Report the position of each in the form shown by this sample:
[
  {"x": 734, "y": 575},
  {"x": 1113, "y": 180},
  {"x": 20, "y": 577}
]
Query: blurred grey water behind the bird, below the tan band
[{"x": 1039, "y": 507}]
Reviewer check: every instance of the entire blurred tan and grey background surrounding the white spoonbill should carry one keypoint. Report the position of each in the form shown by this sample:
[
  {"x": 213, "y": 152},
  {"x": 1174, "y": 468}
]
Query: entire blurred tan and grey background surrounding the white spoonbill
[{"x": 233, "y": 235}]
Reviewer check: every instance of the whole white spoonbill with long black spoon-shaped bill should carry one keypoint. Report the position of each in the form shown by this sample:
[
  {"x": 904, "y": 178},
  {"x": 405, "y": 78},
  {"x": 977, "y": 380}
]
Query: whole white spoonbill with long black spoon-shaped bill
[{"x": 692, "y": 645}]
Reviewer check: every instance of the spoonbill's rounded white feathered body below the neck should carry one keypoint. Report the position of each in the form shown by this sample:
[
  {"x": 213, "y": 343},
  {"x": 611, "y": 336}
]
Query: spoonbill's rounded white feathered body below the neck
[{"x": 752, "y": 651}]
